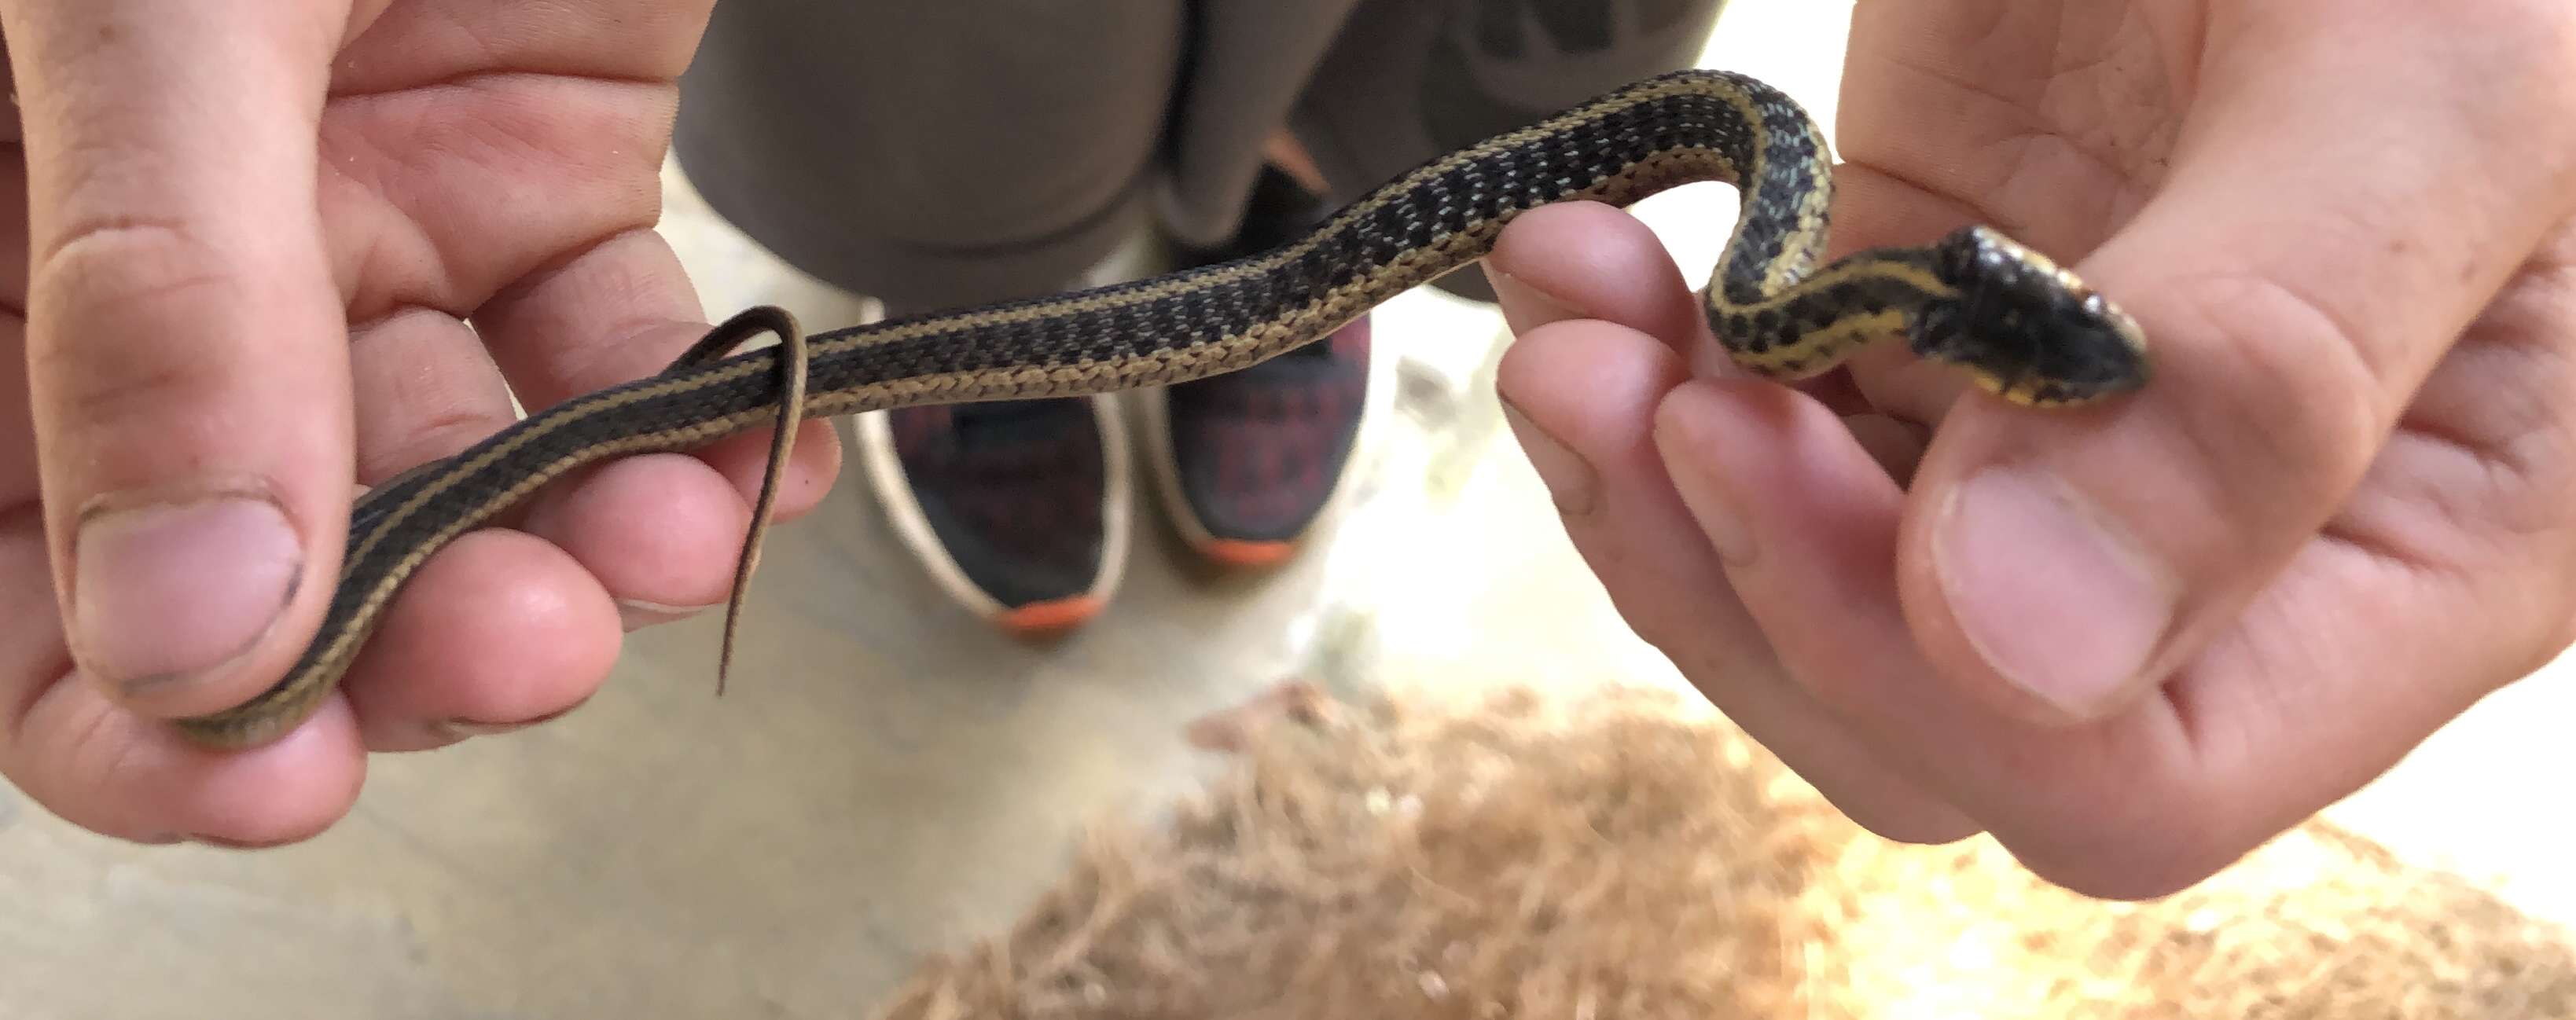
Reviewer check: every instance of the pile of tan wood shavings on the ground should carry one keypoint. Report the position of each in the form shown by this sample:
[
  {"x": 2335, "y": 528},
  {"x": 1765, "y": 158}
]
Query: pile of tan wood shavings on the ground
[{"x": 1627, "y": 854}]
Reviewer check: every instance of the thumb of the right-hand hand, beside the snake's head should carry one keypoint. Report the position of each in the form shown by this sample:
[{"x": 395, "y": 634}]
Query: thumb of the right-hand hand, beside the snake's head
[{"x": 2297, "y": 277}]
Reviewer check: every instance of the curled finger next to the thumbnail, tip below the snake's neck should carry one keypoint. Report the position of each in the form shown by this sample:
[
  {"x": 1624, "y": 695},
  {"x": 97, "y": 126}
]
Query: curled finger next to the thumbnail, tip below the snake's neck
[{"x": 1820, "y": 573}]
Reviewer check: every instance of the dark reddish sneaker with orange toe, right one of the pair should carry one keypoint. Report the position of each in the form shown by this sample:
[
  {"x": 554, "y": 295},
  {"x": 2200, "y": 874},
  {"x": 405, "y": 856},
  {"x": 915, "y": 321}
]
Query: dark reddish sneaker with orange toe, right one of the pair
[{"x": 1248, "y": 462}]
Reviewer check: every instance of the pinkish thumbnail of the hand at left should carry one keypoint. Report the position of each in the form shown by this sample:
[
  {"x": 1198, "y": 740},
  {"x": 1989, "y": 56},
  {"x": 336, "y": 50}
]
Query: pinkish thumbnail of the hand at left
[{"x": 169, "y": 589}]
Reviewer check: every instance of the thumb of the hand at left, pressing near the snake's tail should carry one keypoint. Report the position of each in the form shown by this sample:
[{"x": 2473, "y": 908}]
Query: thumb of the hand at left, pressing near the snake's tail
[{"x": 184, "y": 339}]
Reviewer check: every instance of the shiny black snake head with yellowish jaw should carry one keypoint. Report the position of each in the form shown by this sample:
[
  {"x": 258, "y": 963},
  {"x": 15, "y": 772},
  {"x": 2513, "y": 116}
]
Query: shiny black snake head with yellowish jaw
[{"x": 2026, "y": 328}]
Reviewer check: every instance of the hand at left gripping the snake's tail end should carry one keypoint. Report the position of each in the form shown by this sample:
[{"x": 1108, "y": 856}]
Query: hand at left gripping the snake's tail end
[{"x": 279, "y": 251}]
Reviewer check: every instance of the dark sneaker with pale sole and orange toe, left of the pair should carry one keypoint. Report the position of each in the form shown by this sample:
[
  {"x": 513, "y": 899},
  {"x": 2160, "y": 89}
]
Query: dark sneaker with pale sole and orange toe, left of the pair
[{"x": 1019, "y": 509}]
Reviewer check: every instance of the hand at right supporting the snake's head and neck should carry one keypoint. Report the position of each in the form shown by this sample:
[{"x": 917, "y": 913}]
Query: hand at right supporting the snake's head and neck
[{"x": 2132, "y": 640}]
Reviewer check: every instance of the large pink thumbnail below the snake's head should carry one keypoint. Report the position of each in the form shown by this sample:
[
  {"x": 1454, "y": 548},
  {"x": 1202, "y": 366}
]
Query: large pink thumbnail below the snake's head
[{"x": 2049, "y": 591}]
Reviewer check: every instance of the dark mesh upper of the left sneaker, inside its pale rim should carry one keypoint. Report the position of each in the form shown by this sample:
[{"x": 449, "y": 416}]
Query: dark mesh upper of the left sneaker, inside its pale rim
[{"x": 1014, "y": 493}]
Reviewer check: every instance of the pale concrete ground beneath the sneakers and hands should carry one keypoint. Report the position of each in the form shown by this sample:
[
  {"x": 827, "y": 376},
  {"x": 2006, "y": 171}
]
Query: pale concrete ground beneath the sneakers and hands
[{"x": 887, "y": 779}]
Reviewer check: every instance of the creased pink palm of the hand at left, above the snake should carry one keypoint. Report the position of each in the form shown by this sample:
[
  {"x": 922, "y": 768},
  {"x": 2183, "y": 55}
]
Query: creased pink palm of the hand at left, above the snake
[{"x": 470, "y": 146}]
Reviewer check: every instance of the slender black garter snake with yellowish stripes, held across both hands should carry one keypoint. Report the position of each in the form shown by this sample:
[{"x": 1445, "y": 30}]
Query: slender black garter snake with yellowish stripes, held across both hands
[{"x": 2016, "y": 323}]
